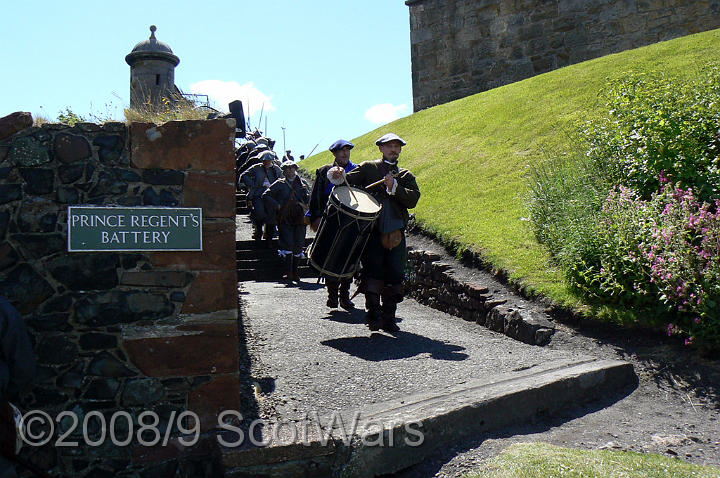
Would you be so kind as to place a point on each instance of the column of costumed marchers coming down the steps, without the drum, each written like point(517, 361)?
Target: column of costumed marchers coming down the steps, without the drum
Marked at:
point(279, 196)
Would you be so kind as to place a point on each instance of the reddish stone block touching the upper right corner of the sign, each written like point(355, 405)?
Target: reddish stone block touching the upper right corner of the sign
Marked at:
point(214, 193)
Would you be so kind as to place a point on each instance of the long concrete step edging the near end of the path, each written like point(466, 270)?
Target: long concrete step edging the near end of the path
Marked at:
point(419, 424)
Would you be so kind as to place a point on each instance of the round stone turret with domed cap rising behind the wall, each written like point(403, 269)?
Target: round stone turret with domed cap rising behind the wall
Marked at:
point(152, 73)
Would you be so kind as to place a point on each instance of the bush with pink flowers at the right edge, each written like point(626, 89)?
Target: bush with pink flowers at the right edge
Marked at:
point(658, 257)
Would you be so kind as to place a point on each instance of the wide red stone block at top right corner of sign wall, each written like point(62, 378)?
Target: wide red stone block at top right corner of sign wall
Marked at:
point(184, 145)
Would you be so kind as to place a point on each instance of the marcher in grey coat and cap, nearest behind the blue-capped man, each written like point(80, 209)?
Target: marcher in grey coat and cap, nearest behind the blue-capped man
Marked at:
point(288, 197)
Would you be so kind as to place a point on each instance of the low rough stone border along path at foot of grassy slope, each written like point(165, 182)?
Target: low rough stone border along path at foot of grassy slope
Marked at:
point(433, 282)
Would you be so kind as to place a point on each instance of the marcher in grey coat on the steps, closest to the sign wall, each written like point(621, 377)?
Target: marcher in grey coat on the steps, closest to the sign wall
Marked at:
point(257, 179)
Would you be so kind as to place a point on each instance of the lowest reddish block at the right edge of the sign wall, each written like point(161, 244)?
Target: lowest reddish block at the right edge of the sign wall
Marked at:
point(211, 398)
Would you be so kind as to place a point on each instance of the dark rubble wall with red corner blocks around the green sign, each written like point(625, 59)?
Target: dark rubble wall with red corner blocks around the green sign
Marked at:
point(130, 331)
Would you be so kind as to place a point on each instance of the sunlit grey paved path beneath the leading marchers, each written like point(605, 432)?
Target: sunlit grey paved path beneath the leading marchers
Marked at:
point(306, 358)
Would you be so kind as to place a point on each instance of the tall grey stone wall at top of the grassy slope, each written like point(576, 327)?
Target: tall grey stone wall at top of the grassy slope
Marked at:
point(462, 47)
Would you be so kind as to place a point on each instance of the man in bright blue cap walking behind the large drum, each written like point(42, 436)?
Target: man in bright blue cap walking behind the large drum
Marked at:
point(325, 177)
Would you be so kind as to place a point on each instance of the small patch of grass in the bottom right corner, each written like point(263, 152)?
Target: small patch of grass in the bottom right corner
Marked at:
point(540, 460)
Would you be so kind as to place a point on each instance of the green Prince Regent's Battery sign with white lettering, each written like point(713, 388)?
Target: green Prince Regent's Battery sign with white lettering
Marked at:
point(92, 228)
